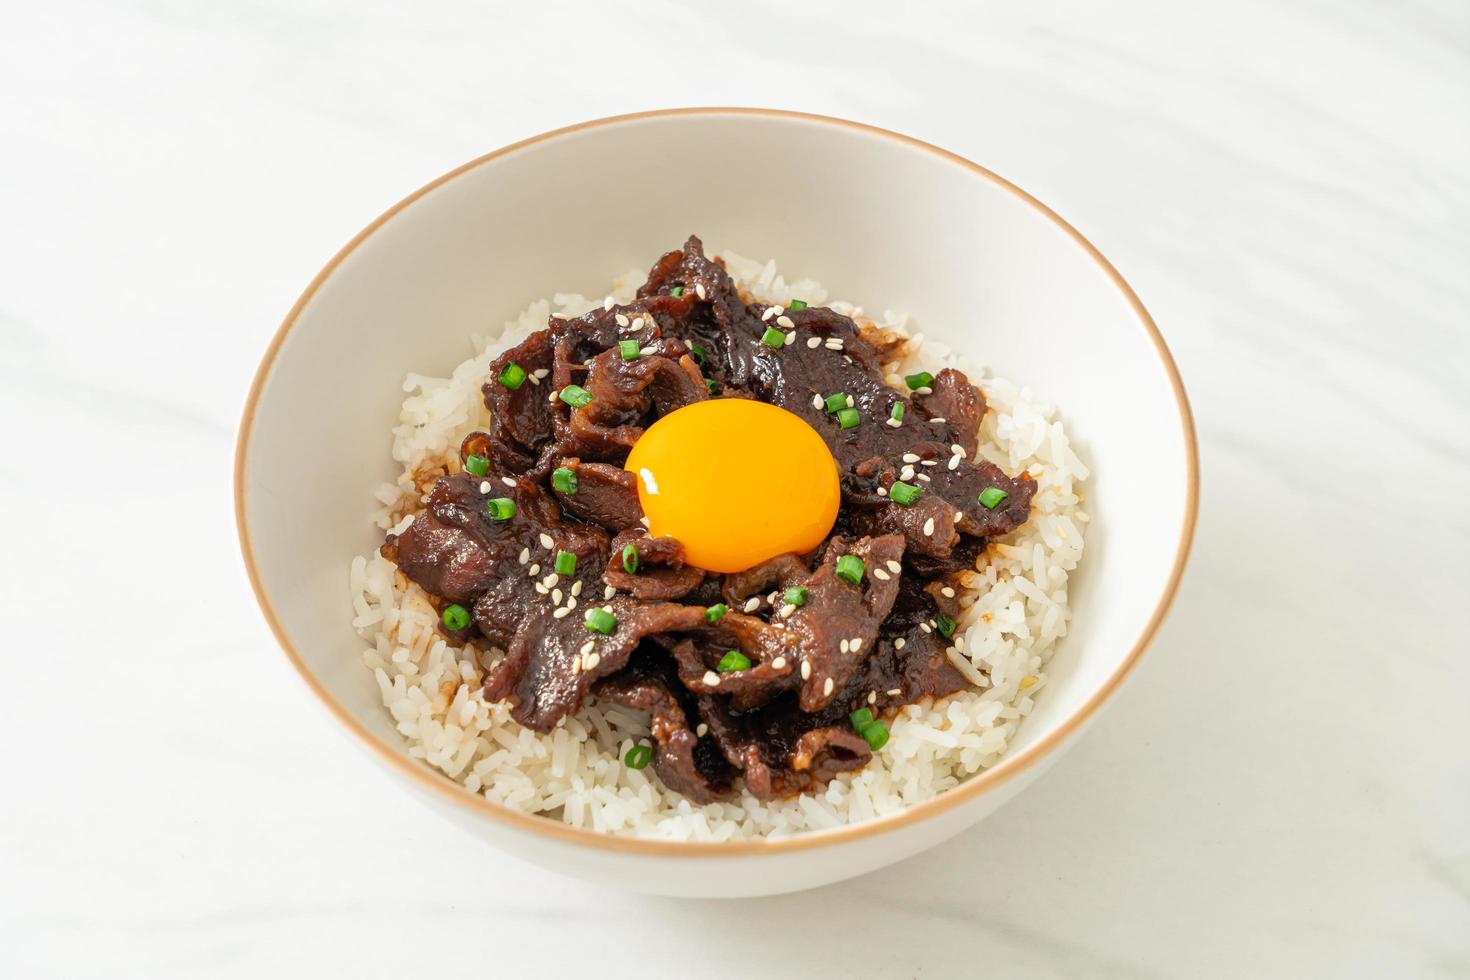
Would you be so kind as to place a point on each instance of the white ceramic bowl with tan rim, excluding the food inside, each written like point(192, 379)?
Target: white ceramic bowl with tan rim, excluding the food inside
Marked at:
point(880, 220)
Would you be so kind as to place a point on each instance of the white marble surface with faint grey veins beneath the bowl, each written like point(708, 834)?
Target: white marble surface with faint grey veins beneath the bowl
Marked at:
point(1283, 791)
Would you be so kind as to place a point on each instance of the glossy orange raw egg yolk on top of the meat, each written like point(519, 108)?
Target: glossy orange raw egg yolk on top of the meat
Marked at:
point(736, 483)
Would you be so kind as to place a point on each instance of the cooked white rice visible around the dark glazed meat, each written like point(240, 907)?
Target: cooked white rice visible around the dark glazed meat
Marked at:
point(1015, 613)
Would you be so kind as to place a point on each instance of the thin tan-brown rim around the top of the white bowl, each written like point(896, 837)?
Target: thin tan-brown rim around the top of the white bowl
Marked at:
point(983, 782)
